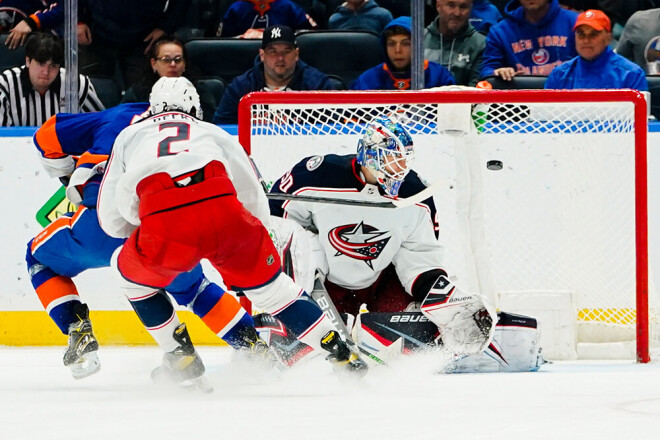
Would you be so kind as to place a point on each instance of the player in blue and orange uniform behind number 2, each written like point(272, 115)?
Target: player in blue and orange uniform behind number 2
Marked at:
point(75, 147)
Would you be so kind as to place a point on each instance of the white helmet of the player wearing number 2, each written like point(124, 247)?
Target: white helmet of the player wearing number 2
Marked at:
point(177, 94)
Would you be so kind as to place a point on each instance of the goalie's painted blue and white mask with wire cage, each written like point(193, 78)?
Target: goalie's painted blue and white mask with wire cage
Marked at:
point(386, 149)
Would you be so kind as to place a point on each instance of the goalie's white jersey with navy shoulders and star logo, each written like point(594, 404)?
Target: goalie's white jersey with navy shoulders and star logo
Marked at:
point(360, 242)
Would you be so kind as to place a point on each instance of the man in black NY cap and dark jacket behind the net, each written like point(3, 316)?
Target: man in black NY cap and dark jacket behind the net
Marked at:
point(279, 69)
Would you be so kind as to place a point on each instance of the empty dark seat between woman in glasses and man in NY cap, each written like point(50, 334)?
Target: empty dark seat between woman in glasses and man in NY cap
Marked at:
point(225, 58)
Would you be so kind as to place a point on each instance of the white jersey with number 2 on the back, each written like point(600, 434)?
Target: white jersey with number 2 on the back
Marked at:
point(177, 144)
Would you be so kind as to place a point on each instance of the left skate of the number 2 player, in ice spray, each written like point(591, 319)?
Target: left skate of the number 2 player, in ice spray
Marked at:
point(182, 365)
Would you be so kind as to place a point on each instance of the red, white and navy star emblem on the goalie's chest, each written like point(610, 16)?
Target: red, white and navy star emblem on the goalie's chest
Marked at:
point(358, 241)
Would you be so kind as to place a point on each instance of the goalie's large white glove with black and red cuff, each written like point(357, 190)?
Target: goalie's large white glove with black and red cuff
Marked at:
point(466, 321)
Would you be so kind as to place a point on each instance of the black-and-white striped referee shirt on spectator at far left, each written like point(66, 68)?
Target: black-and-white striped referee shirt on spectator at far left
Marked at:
point(21, 105)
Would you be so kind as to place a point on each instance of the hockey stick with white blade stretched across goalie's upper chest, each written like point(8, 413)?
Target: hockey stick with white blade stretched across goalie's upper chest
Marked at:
point(429, 191)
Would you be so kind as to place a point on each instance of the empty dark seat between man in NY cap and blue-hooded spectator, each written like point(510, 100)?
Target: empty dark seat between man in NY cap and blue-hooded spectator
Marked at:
point(345, 54)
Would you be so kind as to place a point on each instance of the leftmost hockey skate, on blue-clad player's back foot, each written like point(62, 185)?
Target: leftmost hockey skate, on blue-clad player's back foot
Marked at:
point(81, 354)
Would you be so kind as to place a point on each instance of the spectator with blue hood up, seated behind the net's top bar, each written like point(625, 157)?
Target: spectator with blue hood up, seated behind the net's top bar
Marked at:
point(394, 74)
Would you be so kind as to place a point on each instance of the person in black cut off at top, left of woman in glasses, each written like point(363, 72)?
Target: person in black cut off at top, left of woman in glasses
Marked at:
point(118, 32)
